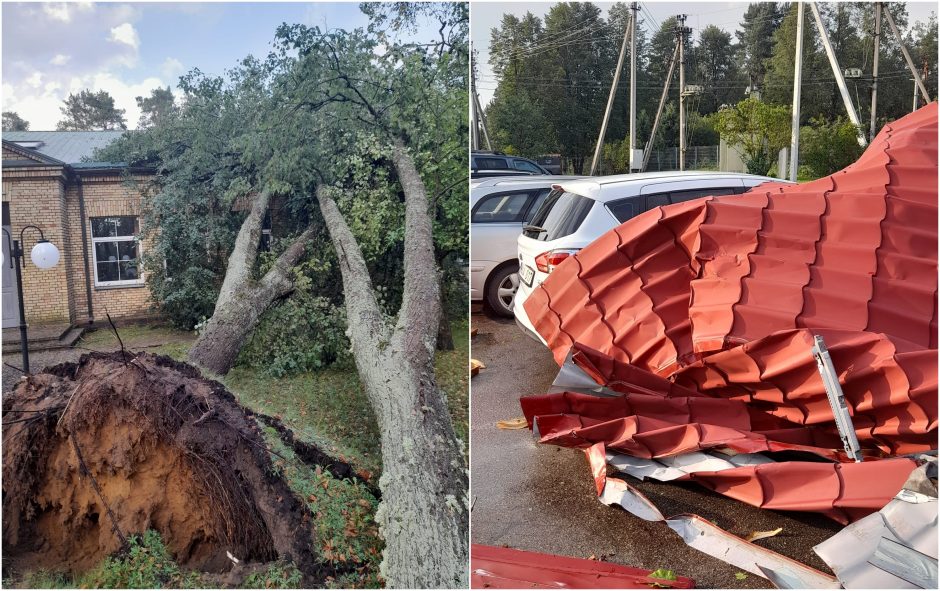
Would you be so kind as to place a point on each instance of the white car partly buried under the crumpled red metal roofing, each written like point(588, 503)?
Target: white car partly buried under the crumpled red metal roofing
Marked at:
point(577, 212)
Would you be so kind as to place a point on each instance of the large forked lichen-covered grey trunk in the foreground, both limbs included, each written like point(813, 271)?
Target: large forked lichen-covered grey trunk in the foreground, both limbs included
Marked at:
point(424, 511)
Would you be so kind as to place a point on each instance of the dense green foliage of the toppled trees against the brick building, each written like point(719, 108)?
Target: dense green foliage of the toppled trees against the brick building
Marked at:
point(277, 123)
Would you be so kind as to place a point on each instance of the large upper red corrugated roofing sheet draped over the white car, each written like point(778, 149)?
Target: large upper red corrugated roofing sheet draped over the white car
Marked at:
point(853, 251)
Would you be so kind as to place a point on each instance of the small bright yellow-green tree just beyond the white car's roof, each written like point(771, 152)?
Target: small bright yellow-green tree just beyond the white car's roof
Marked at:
point(758, 130)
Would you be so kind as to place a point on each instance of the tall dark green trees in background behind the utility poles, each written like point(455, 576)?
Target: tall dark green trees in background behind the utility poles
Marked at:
point(542, 103)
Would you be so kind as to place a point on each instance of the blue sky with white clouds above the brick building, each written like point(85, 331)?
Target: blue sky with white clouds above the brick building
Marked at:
point(128, 49)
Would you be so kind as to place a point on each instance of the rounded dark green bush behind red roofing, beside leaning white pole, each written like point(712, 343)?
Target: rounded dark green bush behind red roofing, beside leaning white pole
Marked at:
point(828, 147)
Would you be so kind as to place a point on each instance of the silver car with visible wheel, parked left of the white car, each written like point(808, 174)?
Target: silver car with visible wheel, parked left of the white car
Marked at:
point(499, 206)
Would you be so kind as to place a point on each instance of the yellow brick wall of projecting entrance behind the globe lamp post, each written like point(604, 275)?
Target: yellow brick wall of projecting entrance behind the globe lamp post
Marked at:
point(36, 196)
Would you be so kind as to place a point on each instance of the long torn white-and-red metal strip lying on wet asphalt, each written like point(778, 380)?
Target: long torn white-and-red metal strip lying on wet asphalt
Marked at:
point(704, 535)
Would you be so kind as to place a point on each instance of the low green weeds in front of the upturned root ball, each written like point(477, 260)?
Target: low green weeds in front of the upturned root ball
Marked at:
point(146, 564)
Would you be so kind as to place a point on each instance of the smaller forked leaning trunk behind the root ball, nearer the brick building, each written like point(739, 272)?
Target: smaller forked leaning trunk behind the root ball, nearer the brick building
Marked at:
point(242, 300)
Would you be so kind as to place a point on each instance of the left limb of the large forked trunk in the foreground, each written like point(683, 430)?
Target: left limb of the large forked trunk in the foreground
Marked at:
point(366, 322)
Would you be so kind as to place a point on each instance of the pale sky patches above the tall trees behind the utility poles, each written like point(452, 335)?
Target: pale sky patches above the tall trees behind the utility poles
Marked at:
point(484, 16)
